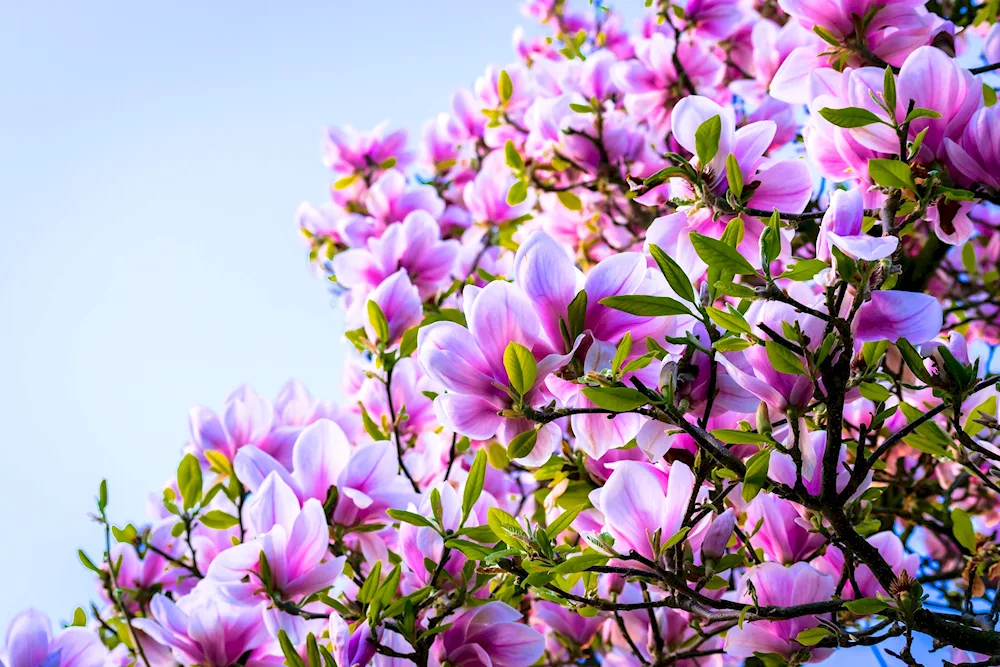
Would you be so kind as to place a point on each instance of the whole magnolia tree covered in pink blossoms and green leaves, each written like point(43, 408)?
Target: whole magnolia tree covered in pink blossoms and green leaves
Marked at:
point(672, 349)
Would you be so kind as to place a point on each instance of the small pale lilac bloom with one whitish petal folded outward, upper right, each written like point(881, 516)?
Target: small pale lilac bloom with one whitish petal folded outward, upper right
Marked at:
point(841, 227)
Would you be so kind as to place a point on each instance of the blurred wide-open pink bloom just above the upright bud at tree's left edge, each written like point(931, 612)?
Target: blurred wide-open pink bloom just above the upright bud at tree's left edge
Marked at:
point(414, 245)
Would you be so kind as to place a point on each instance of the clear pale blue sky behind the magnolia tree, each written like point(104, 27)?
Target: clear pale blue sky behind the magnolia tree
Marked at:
point(153, 157)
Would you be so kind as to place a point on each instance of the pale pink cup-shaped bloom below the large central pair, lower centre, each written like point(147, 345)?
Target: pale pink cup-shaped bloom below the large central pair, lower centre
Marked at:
point(640, 499)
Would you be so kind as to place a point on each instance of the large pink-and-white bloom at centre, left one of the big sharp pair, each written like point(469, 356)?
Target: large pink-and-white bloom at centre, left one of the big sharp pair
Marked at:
point(469, 362)
